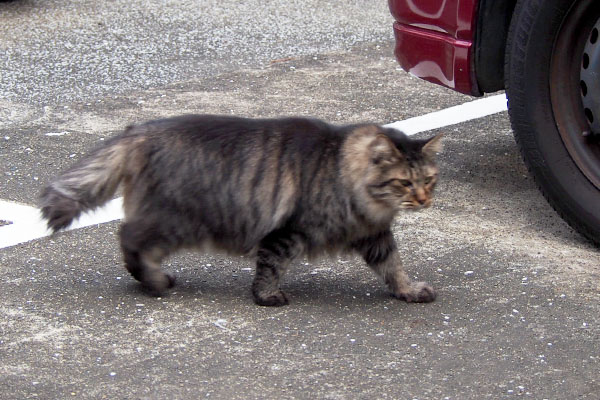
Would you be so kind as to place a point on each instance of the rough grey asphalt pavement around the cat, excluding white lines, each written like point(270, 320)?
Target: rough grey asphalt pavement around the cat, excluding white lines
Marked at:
point(517, 312)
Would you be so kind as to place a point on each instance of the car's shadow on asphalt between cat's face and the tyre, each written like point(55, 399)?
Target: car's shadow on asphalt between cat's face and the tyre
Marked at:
point(492, 169)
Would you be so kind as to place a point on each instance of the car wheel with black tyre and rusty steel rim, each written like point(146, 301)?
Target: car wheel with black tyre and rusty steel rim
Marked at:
point(552, 58)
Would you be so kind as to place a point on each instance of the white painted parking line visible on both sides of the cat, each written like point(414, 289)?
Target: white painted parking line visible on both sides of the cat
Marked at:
point(27, 224)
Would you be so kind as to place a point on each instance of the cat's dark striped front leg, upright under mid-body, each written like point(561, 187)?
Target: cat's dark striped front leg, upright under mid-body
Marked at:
point(275, 252)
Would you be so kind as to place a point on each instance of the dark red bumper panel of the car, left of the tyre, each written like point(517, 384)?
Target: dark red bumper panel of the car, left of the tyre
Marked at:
point(435, 40)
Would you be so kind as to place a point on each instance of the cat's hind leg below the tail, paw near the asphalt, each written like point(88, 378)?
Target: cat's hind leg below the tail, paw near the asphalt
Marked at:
point(143, 250)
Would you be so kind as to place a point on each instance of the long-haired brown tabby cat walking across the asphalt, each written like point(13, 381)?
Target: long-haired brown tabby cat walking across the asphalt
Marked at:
point(277, 189)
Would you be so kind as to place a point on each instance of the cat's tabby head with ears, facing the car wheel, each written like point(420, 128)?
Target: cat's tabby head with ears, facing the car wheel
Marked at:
point(402, 171)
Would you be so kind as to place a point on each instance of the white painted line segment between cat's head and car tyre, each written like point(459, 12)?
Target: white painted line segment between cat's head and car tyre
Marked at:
point(453, 115)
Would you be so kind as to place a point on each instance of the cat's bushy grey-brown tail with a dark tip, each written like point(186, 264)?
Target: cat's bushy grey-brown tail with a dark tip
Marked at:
point(88, 184)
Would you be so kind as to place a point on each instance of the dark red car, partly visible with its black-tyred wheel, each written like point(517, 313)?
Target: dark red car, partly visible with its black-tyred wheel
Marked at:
point(546, 55)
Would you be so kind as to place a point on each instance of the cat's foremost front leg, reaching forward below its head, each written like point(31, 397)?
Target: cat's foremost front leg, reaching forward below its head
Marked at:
point(381, 254)
